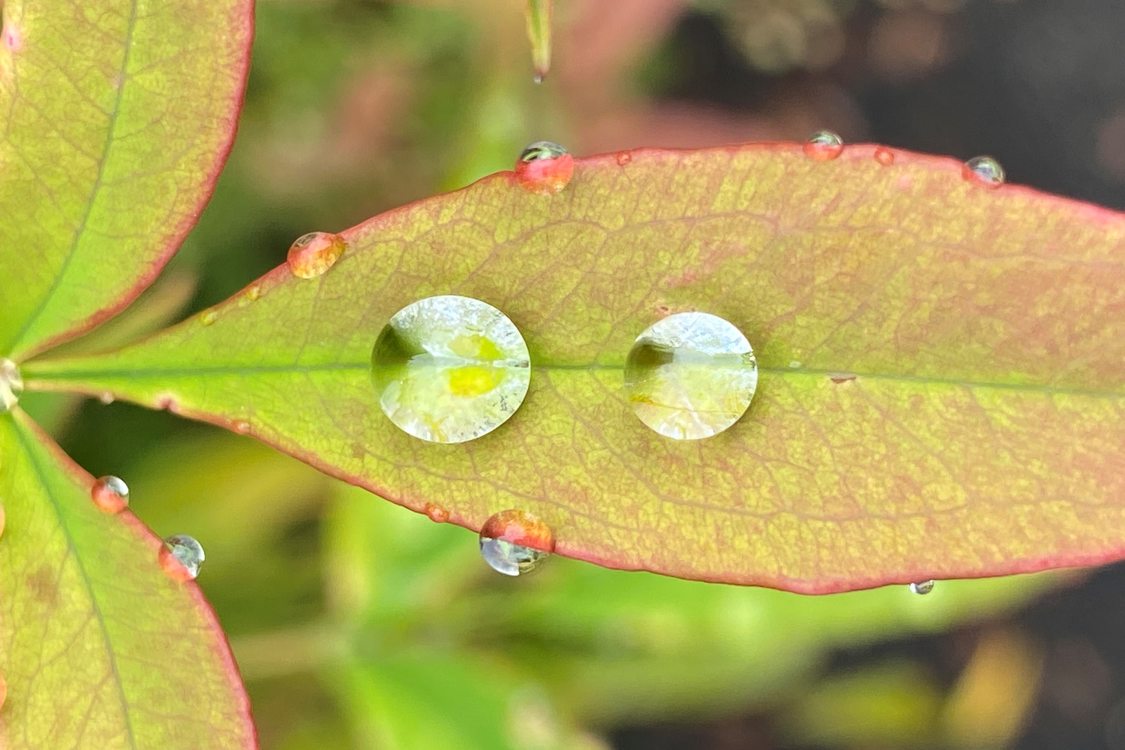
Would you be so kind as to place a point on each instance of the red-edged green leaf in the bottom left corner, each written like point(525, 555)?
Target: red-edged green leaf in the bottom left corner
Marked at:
point(101, 649)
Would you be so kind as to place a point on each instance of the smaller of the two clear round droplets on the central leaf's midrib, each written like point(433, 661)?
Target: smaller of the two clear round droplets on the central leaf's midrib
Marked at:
point(691, 376)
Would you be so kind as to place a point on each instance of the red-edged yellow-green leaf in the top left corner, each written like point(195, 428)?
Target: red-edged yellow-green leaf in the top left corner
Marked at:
point(119, 118)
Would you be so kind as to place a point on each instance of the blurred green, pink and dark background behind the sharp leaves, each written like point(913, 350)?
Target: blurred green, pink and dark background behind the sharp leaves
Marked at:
point(359, 625)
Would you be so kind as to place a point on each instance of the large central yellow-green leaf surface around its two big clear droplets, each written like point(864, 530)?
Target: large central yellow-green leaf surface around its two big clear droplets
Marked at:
point(940, 395)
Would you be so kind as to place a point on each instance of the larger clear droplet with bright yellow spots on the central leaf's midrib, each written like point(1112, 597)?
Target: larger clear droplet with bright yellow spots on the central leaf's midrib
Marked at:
point(449, 369)
